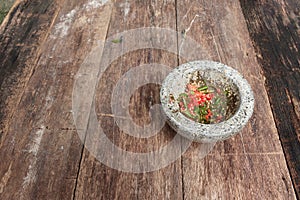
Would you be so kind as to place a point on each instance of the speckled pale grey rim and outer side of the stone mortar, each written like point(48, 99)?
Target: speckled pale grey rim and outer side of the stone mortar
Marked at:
point(210, 132)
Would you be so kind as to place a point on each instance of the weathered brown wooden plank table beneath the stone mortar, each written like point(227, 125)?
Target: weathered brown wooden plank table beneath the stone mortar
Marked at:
point(43, 45)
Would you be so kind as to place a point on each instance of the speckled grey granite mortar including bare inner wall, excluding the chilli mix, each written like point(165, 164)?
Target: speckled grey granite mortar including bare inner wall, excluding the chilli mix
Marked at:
point(175, 84)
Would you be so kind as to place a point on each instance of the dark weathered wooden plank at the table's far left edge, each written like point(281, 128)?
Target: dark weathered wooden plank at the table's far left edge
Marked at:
point(29, 23)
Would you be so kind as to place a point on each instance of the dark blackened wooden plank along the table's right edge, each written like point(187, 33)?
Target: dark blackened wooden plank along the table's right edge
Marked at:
point(274, 29)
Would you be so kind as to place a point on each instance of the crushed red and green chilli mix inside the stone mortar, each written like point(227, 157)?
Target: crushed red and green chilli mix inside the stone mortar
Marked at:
point(206, 103)
